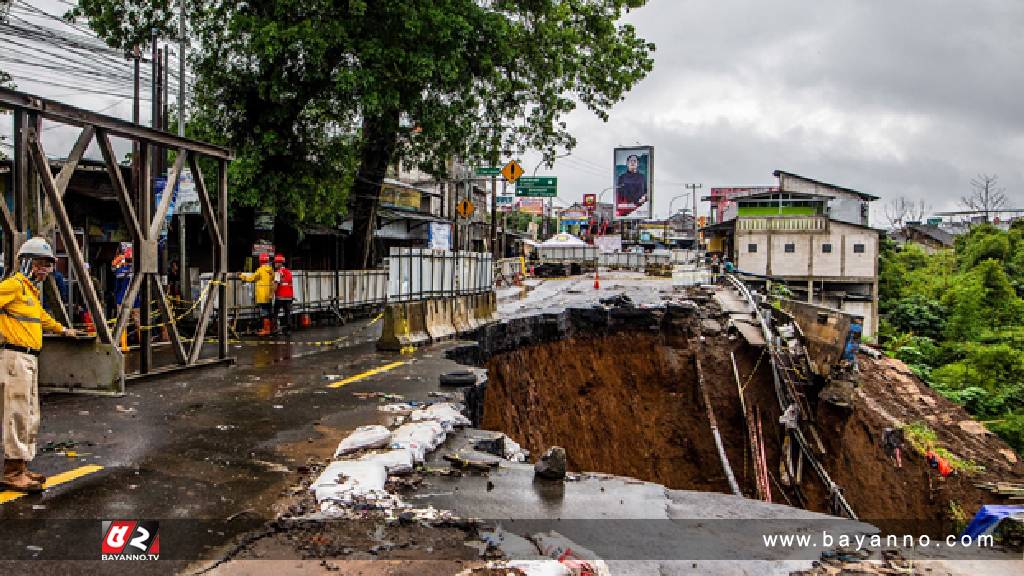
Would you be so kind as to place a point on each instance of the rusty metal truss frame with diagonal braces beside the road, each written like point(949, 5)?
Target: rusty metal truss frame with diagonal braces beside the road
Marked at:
point(32, 173)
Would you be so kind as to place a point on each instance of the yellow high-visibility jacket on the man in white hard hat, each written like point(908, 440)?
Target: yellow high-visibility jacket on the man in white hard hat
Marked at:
point(22, 316)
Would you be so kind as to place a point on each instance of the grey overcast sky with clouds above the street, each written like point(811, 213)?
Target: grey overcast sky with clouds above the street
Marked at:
point(908, 99)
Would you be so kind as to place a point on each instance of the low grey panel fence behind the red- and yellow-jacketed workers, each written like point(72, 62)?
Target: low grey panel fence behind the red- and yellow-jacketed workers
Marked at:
point(315, 292)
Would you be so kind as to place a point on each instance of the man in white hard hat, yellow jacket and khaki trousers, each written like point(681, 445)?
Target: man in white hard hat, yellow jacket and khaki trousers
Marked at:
point(22, 323)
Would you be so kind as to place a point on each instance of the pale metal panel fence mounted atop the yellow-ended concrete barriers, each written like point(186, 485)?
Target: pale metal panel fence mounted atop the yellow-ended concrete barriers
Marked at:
point(417, 274)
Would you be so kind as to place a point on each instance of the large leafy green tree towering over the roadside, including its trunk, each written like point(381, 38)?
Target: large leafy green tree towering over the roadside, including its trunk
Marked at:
point(295, 86)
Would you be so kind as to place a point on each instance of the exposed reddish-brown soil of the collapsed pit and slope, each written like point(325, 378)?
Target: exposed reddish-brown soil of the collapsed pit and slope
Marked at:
point(628, 404)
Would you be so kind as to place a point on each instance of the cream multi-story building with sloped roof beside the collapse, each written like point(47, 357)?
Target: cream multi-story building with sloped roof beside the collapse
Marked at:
point(813, 236)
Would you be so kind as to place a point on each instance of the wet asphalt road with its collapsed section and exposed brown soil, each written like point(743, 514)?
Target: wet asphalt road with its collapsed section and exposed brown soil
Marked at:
point(616, 385)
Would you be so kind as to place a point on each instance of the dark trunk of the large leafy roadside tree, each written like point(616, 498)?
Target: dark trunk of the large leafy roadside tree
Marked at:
point(380, 134)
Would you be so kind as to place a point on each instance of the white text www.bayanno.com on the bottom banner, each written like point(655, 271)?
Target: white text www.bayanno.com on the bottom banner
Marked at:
point(862, 542)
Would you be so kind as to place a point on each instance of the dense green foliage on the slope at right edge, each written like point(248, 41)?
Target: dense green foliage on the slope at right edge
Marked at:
point(957, 319)
